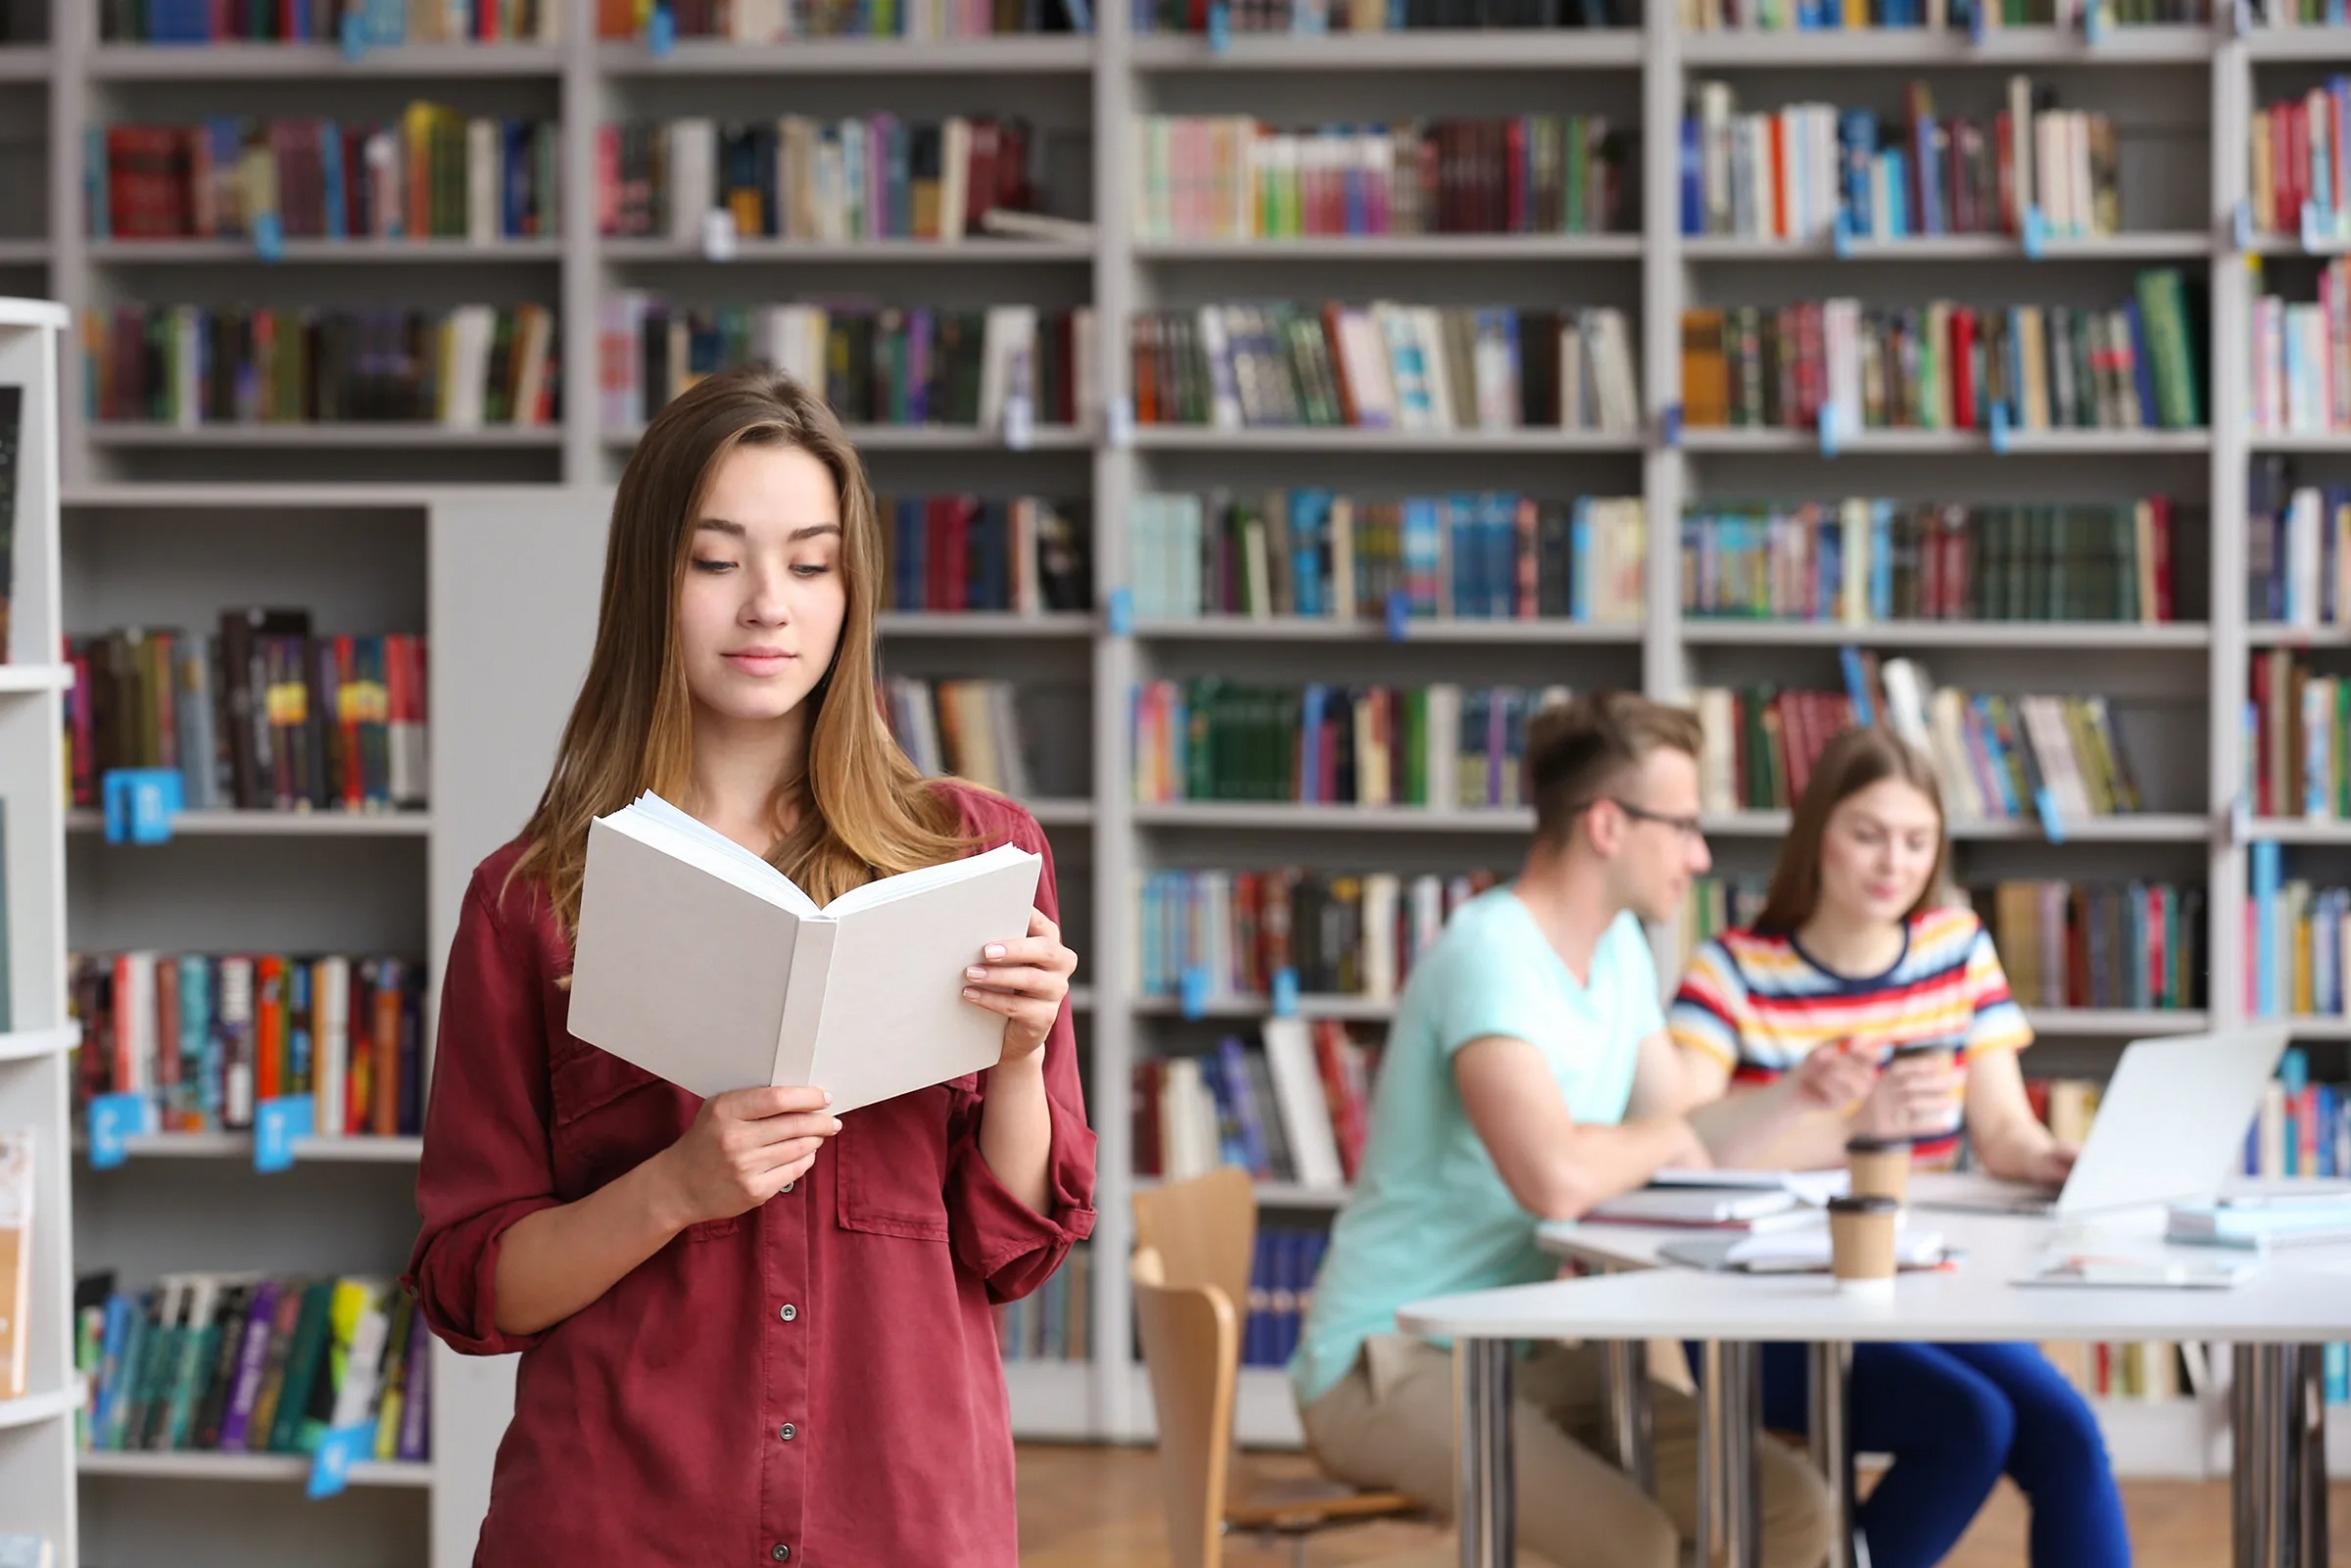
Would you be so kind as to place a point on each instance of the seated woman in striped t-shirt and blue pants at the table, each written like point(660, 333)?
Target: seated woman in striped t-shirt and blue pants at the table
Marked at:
point(1856, 953)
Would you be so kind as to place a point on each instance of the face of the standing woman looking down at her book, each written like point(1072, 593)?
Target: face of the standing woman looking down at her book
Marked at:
point(765, 596)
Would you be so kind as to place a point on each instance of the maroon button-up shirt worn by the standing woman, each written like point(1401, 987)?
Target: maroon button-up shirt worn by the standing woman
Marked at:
point(815, 1381)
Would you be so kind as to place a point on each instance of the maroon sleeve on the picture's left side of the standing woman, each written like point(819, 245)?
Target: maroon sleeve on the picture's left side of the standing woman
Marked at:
point(485, 1151)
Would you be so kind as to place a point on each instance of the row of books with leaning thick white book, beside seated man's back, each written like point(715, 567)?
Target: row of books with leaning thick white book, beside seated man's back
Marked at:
point(1294, 1111)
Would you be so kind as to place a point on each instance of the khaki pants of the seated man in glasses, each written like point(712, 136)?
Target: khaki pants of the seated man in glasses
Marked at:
point(1391, 1426)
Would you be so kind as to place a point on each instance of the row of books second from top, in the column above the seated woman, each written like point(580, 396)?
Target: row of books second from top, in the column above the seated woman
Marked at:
point(1807, 170)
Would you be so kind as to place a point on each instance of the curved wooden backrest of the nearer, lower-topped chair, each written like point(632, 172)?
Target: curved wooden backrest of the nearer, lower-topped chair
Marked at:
point(1193, 1348)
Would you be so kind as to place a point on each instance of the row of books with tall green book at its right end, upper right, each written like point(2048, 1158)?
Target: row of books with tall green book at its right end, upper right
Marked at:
point(1844, 366)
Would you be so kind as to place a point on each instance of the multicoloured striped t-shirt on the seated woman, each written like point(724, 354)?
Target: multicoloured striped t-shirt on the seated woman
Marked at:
point(1762, 1003)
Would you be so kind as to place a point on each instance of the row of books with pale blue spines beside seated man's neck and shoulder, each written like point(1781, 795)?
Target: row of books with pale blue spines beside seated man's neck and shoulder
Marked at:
point(1221, 937)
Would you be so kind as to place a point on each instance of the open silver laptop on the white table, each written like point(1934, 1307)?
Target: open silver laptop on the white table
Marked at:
point(2171, 1125)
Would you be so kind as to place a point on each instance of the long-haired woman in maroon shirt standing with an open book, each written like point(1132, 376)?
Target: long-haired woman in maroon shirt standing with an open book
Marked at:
point(751, 1332)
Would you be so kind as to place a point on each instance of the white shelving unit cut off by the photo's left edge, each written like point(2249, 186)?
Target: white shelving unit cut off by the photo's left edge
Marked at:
point(36, 1430)
